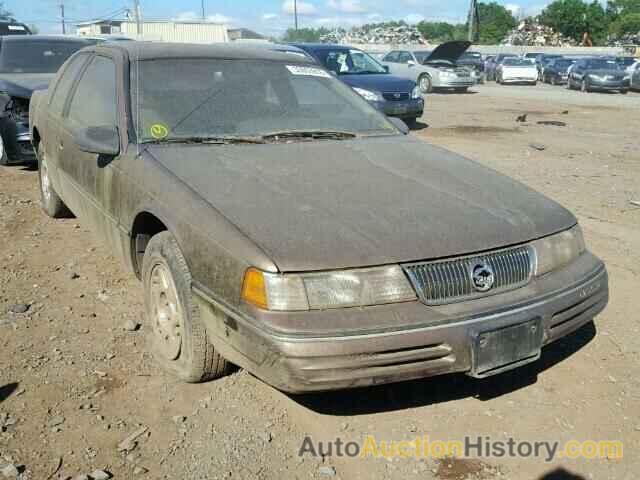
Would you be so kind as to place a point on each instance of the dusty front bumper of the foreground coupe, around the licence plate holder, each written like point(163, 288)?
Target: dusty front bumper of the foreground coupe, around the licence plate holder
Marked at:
point(424, 342)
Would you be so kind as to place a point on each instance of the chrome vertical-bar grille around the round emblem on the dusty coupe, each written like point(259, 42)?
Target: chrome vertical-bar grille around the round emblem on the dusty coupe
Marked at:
point(449, 281)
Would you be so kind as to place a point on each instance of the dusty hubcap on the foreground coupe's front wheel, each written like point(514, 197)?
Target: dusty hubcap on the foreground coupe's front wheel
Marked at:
point(166, 313)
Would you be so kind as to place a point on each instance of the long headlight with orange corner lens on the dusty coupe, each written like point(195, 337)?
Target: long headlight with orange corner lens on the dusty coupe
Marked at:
point(323, 290)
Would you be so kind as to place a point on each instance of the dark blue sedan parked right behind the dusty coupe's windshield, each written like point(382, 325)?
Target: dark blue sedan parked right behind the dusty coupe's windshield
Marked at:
point(392, 95)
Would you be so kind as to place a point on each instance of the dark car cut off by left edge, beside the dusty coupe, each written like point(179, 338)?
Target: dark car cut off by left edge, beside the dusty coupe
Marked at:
point(27, 63)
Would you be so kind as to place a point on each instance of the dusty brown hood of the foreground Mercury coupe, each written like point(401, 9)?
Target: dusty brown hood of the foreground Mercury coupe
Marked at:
point(338, 204)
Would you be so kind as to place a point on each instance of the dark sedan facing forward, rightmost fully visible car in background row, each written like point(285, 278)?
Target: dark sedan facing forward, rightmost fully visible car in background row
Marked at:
point(598, 74)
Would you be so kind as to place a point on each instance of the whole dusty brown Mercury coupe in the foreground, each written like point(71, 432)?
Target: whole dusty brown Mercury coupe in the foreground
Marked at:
point(278, 221)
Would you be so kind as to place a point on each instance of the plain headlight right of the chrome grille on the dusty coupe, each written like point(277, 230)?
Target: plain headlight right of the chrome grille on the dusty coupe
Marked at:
point(558, 250)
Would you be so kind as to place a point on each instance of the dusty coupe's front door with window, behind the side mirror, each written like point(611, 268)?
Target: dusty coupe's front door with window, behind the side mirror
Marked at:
point(92, 179)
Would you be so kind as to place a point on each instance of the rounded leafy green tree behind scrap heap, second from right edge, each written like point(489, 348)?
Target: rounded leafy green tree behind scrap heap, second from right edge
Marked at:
point(574, 17)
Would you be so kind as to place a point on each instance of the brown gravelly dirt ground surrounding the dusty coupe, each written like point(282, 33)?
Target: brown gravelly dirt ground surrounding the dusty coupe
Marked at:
point(75, 380)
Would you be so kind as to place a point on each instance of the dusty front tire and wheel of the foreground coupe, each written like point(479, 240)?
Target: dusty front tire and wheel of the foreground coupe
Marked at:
point(176, 333)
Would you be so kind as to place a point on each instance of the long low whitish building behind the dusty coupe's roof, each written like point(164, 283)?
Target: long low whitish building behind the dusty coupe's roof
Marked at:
point(159, 31)
